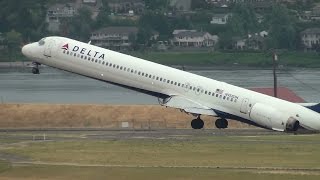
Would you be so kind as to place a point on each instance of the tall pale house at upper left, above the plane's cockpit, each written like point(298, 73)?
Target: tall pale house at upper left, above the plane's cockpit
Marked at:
point(57, 12)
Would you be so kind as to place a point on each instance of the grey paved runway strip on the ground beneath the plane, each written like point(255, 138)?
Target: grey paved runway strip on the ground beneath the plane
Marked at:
point(54, 134)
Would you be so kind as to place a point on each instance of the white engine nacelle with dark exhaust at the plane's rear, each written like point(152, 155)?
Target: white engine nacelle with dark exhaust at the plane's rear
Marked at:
point(272, 118)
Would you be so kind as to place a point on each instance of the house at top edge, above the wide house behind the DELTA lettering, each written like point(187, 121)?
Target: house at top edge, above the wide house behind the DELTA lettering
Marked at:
point(124, 6)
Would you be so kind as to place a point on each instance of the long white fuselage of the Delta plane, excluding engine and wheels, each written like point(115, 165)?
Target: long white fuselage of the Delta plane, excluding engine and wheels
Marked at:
point(110, 66)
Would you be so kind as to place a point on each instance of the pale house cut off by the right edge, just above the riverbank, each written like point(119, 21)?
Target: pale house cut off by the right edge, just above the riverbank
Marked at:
point(310, 38)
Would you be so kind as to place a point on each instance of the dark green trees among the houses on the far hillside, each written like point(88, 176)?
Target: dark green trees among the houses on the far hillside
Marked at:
point(24, 21)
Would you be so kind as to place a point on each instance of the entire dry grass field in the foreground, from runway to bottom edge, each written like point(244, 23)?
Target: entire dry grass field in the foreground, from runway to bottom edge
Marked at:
point(213, 157)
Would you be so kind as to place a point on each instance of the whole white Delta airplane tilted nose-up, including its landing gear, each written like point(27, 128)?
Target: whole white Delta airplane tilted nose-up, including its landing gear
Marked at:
point(191, 93)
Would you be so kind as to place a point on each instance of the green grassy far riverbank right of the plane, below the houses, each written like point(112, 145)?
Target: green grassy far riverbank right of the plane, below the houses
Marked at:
point(261, 59)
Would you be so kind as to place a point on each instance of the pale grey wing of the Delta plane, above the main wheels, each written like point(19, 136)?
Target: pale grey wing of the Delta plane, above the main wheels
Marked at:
point(188, 105)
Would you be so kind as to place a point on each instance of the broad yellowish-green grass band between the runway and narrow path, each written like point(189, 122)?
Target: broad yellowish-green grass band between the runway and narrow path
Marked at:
point(218, 151)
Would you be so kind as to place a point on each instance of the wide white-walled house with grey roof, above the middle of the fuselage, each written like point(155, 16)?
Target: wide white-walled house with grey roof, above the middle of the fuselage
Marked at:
point(192, 38)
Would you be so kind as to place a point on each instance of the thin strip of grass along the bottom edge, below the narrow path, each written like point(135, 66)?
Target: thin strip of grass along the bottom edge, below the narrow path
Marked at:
point(79, 173)
